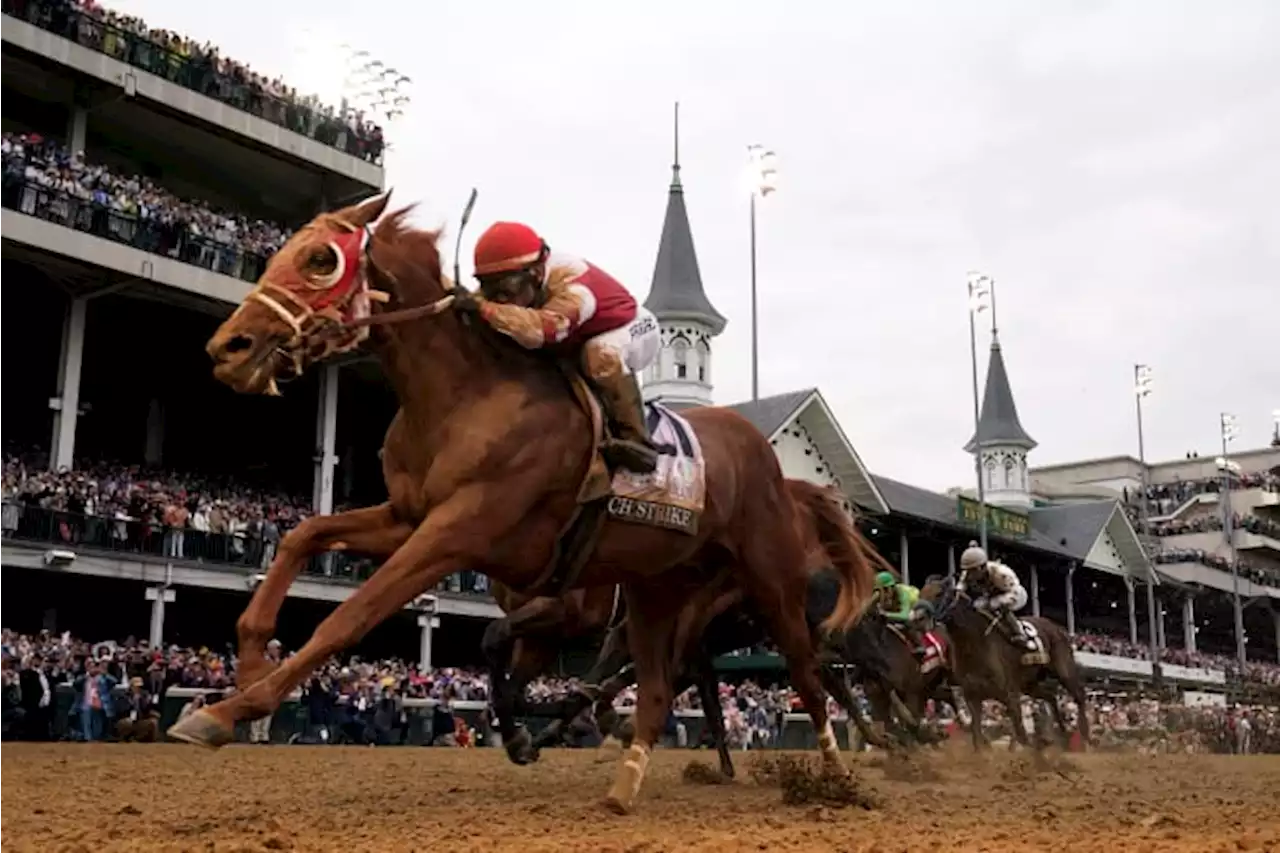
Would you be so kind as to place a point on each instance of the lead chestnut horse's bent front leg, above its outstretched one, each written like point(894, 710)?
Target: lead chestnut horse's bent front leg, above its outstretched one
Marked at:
point(373, 531)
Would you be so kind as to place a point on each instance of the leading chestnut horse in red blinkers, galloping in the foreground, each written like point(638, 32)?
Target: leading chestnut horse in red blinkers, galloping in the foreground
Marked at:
point(484, 466)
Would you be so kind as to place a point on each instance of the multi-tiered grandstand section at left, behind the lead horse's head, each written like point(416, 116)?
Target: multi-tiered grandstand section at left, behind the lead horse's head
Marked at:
point(143, 186)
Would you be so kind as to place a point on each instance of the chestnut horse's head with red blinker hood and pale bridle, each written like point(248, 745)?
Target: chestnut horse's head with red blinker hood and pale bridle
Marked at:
point(318, 297)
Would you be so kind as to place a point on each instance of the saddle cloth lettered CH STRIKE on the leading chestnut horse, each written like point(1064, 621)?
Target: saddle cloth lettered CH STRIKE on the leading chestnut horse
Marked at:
point(675, 495)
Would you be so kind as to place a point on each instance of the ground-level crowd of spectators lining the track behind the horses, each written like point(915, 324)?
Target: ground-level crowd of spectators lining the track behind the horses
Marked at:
point(118, 688)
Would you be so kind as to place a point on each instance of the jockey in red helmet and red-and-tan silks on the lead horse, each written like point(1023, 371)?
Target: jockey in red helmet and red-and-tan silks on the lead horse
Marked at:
point(545, 300)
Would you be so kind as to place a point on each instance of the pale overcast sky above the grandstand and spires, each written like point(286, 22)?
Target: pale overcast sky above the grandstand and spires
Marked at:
point(1114, 166)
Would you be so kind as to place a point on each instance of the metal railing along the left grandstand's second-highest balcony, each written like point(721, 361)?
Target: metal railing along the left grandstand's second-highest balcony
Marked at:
point(156, 236)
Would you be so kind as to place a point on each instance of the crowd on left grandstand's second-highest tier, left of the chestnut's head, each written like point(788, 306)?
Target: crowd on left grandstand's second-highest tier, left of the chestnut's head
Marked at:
point(43, 179)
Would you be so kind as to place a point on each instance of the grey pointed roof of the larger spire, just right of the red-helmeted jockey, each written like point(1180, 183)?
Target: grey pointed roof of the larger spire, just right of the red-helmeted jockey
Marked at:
point(676, 293)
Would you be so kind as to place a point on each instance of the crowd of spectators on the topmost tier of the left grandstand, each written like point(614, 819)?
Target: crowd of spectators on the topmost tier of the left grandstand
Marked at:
point(202, 67)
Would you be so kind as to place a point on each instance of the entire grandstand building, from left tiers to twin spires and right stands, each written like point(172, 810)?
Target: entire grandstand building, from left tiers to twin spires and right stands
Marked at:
point(143, 186)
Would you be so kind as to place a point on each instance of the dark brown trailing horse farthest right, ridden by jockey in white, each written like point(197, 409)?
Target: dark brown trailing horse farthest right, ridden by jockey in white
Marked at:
point(986, 665)
